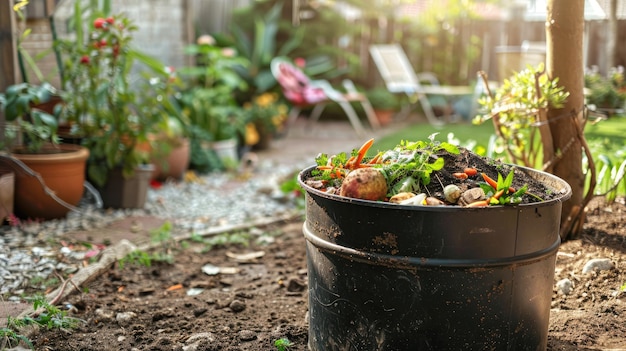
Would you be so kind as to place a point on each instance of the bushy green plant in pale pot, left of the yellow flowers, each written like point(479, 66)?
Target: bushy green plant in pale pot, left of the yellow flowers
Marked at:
point(215, 120)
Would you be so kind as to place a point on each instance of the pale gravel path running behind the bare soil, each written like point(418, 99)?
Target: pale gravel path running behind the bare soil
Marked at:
point(216, 199)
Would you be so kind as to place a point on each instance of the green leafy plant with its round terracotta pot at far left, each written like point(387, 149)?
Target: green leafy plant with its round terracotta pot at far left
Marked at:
point(49, 176)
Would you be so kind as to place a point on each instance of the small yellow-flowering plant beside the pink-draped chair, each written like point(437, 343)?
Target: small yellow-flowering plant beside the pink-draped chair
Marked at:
point(265, 113)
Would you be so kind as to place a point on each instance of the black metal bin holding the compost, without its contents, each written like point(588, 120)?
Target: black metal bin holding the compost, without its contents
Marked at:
point(390, 277)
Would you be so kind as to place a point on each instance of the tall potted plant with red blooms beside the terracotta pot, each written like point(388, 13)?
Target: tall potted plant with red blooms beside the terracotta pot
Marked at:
point(101, 105)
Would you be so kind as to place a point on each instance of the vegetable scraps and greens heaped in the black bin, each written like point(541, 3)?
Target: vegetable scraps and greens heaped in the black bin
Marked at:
point(402, 175)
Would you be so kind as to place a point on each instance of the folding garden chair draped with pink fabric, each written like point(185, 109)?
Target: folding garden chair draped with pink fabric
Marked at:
point(303, 92)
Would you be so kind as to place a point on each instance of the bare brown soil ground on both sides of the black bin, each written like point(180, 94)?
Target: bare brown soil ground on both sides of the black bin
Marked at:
point(255, 300)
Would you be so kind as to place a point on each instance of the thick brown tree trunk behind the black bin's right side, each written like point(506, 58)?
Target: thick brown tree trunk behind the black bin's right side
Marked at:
point(564, 34)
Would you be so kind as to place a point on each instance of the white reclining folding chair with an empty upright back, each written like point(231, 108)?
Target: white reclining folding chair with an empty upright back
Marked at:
point(400, 77)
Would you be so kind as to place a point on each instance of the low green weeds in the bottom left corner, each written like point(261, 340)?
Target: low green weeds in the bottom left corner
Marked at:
point(46, 316)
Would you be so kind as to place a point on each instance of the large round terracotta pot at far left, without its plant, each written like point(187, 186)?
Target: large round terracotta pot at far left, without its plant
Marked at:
point(62, 169)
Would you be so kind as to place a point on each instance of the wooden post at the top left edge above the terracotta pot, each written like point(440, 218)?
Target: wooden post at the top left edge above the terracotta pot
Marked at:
point(8, 45)
